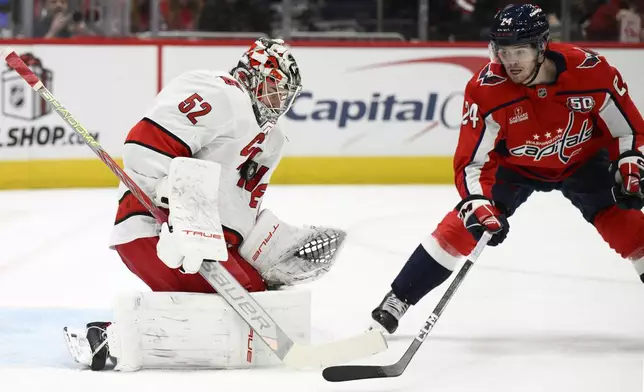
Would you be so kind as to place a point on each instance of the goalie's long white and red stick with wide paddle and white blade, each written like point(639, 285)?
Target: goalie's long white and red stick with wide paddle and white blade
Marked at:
point(291, 353)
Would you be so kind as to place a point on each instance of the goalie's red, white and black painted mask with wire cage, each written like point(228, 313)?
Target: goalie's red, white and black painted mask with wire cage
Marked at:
point(270, 74)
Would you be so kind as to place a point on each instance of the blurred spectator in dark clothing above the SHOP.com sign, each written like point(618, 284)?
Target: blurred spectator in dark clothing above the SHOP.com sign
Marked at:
point(58, 22)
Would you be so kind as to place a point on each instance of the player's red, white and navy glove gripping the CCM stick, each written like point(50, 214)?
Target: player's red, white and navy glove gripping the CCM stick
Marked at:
point(479, 214)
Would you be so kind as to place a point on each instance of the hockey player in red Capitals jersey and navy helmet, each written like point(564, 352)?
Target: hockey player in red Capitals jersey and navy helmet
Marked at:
point(539, 117)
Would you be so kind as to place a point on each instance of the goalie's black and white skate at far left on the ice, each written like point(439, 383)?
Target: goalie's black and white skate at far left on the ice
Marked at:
point(88, 346)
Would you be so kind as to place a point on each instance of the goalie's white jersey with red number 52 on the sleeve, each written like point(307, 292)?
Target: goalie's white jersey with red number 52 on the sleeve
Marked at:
point(204, 115)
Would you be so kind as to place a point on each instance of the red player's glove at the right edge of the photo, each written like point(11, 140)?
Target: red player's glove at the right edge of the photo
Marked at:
point(627, 174)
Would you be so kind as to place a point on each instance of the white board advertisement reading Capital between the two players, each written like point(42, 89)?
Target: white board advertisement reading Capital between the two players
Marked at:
point(371, 104)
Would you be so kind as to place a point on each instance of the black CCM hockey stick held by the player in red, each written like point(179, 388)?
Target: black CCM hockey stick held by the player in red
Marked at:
point(361, 372)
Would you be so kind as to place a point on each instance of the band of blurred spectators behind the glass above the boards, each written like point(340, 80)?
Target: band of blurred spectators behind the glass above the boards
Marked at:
point(451, 20)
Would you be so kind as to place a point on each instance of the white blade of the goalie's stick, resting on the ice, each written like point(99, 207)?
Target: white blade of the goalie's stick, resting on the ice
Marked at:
point(346, 350)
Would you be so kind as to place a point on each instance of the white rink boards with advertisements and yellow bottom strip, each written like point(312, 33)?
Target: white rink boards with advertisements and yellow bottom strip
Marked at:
point(385, 113)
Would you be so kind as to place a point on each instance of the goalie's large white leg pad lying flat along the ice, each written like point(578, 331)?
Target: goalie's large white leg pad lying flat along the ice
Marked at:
point(188, 330)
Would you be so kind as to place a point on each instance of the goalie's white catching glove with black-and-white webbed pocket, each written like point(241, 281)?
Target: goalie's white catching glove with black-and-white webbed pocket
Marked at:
point(288, 255)
